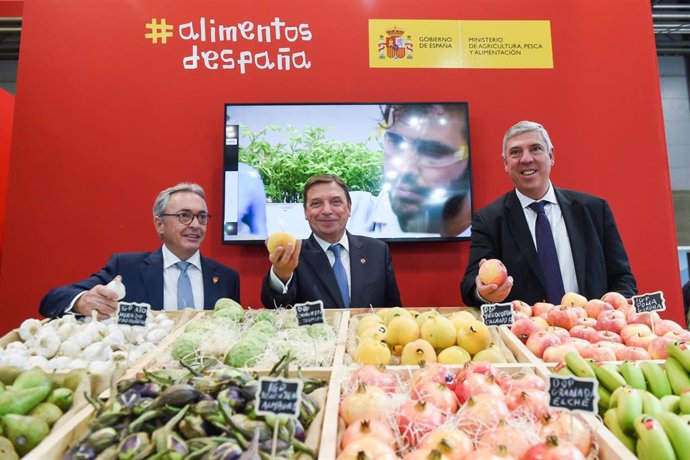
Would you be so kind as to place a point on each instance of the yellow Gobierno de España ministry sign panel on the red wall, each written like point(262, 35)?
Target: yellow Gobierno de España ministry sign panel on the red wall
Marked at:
point(419, 43)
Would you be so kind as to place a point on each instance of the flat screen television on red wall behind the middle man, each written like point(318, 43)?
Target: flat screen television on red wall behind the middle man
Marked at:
point(407, 166)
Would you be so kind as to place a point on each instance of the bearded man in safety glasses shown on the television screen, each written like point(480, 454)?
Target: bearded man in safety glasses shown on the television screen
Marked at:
point(426, 185)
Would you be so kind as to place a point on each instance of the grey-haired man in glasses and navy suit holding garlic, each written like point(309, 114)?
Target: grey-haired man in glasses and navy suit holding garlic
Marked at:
point(180, 216)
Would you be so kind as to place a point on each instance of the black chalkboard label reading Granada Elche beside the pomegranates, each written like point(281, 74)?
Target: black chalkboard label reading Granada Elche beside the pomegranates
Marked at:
point(573, 394)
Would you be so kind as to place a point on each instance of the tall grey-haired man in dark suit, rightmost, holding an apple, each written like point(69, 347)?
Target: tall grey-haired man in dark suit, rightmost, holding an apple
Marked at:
point(591, 259)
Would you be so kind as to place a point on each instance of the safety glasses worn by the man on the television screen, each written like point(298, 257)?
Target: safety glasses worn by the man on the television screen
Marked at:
point(428, 153)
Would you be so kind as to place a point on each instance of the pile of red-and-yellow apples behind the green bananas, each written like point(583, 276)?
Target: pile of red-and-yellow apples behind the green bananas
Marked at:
point(606, 329)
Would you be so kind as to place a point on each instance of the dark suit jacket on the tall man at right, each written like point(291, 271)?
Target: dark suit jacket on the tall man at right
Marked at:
point(500, 231)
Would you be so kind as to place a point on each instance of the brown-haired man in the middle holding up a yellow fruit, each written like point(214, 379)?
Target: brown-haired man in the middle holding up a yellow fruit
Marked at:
point(308, 270)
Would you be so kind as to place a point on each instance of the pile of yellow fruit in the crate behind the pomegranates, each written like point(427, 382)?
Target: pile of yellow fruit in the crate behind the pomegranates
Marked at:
point(400, 336)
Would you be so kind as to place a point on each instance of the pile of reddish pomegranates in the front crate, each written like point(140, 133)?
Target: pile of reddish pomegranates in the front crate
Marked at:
point(478, 412)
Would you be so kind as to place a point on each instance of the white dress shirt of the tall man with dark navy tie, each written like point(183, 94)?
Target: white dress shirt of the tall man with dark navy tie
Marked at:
point(559, 230)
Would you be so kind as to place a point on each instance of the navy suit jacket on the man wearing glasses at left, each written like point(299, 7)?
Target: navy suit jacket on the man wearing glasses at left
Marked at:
point(142, 275)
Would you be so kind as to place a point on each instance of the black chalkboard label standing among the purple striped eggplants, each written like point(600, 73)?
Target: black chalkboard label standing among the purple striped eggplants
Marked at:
point(279, 396)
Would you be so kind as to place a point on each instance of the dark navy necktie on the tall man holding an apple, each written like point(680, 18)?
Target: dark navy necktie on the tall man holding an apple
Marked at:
point(548, 257)
